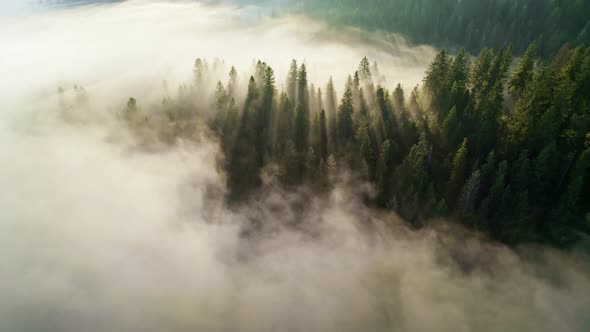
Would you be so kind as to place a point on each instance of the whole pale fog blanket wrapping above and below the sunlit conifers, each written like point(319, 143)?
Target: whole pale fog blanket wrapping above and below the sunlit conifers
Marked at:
point(98, 235)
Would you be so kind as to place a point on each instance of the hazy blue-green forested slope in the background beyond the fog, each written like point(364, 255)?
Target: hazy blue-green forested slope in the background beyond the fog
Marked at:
point(471, 24)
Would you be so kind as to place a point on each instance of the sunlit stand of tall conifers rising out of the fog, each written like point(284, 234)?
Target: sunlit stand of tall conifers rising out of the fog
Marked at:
point(502, 148)
